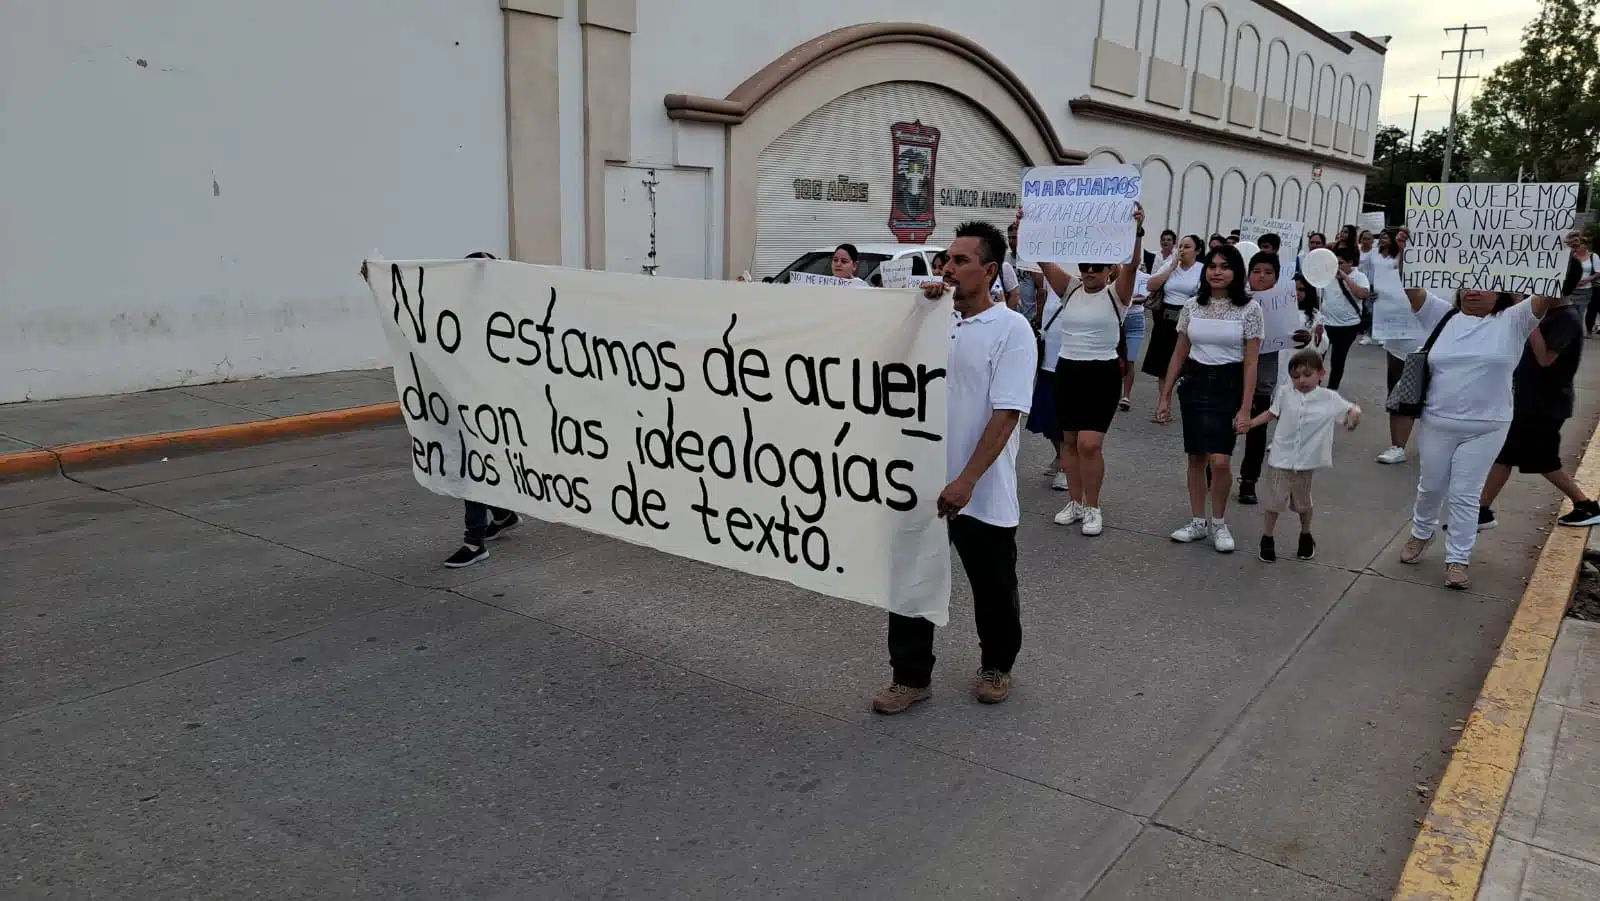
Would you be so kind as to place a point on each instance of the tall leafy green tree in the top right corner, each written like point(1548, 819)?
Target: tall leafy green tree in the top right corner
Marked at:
point(1540, 113)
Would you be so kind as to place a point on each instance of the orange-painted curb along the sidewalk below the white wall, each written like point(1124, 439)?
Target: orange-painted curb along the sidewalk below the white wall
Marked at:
point(191, 441)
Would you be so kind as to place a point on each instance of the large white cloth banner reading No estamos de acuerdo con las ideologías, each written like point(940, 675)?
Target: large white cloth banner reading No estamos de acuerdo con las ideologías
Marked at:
point(687, 417)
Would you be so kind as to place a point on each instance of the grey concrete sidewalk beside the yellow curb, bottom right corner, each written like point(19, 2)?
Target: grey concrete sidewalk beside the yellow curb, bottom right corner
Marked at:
point(1548, 843)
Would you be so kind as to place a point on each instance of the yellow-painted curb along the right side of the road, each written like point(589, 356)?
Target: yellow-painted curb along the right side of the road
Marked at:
point(1454, 846)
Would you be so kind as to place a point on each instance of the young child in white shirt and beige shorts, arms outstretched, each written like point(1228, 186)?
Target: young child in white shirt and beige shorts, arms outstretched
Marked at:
point(1302, 444)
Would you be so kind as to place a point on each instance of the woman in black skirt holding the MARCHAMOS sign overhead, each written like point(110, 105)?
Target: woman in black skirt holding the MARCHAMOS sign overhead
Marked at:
point(1089, 374)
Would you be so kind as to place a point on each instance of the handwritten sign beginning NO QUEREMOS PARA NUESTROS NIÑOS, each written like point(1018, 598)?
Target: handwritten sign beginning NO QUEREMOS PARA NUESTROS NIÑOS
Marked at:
point(1489, 236)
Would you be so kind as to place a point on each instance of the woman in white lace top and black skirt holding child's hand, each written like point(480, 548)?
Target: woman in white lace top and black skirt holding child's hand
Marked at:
point(1214, 369)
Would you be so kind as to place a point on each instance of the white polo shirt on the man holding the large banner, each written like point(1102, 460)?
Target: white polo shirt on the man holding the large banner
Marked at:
point(991, 367)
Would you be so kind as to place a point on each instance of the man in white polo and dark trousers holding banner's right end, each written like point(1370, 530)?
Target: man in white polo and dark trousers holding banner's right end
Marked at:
point(991, 383)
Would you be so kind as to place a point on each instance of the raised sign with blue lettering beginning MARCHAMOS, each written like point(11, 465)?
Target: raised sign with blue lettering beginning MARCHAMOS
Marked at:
point(1079, 215)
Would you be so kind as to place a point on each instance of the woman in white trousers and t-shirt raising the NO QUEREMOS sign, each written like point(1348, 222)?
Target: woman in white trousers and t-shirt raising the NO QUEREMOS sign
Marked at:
point(1466, 412)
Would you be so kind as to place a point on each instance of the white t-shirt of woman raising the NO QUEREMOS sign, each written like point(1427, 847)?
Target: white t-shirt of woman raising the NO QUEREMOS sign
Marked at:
point(1471, 364)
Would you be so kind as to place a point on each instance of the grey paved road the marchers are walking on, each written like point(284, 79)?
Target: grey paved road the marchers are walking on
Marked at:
point(246, 676)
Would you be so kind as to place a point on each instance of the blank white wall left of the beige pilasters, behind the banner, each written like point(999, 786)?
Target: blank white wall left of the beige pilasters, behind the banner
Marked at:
point(188, 186)
